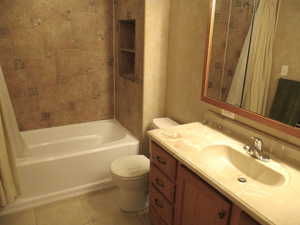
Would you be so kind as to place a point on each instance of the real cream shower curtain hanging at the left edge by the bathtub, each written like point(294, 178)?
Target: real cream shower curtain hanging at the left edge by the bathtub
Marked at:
point(11, 142)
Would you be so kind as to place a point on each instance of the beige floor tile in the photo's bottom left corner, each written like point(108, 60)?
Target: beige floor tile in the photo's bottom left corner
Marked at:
point(21, 218)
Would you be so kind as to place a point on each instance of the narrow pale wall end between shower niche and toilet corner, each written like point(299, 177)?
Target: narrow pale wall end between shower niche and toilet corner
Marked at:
point(157, 15)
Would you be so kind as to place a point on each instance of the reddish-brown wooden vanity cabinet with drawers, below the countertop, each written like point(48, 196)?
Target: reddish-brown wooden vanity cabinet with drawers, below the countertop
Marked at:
point(180, 197)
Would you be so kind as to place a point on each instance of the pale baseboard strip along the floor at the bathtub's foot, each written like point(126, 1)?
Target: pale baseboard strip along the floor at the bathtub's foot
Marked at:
point(27, 203)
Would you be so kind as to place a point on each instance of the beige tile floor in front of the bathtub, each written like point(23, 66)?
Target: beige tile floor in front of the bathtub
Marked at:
point(97, 208)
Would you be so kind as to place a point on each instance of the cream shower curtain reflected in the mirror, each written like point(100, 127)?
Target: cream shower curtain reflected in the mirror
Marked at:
point(259, 61)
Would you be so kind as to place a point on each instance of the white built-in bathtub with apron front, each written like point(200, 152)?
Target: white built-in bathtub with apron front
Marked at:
point(65, 161)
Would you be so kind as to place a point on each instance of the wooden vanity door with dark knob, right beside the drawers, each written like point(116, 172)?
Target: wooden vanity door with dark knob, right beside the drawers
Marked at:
point(197, 203)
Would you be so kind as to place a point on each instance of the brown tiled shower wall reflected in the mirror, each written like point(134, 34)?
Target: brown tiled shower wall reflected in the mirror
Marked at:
point(232, 23)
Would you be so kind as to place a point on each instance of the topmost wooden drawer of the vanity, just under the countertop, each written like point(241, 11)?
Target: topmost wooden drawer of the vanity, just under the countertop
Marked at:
point(164, 161)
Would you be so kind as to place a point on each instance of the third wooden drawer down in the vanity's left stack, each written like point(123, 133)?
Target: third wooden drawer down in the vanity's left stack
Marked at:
point(163, 208)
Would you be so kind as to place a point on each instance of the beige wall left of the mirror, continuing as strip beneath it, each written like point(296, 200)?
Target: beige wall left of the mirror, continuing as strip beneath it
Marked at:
point(188, 34)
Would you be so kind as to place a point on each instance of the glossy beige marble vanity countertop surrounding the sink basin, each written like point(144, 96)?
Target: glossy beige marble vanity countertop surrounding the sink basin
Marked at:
point(269, 205)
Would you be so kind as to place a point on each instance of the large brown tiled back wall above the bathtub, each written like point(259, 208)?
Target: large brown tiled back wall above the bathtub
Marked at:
point(57, 59)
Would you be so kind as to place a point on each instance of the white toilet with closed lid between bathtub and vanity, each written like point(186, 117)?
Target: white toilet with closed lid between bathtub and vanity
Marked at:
point(130, 174)
